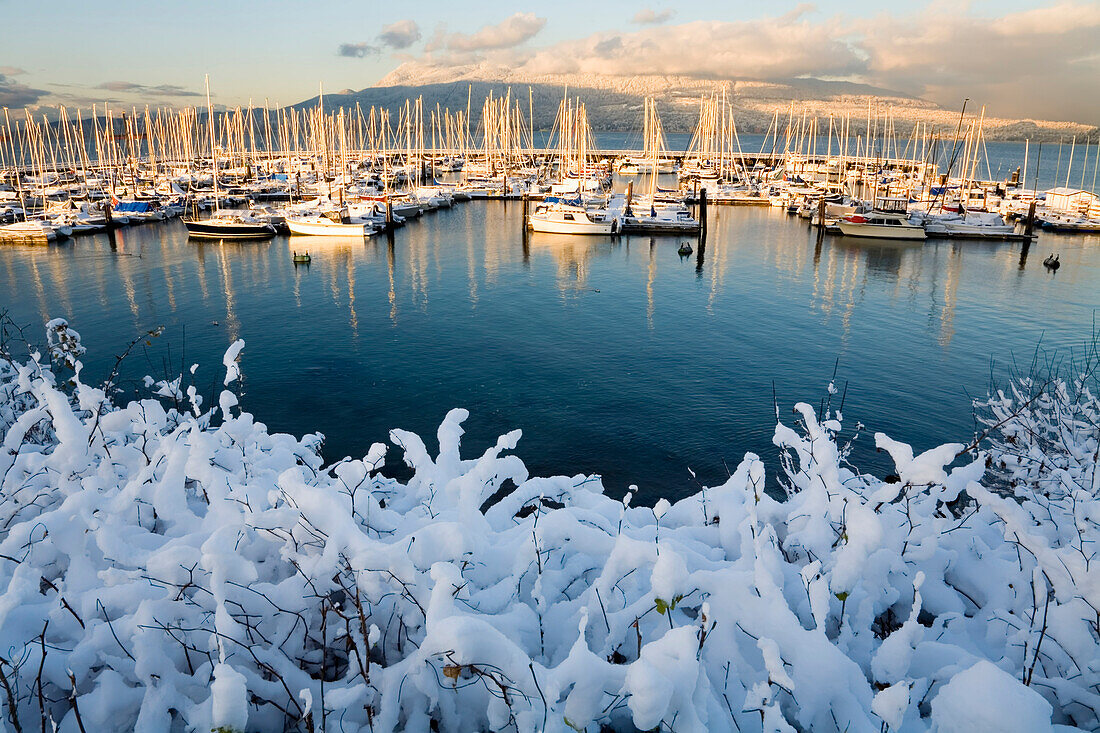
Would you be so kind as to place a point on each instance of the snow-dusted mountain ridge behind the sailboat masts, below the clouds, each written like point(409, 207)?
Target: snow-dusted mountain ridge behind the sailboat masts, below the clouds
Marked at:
point(614, 103)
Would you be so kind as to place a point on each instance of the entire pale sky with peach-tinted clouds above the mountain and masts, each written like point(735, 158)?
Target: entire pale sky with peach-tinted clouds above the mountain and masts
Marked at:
point(1039, 60)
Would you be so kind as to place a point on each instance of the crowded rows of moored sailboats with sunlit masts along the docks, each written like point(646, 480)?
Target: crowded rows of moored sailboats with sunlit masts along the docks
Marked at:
point(338, 172)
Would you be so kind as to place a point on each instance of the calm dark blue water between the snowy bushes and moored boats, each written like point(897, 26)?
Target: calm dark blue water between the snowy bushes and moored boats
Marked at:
point(617, 357)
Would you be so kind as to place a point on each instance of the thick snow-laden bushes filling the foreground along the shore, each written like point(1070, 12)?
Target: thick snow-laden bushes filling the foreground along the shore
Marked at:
point(172, 568)
